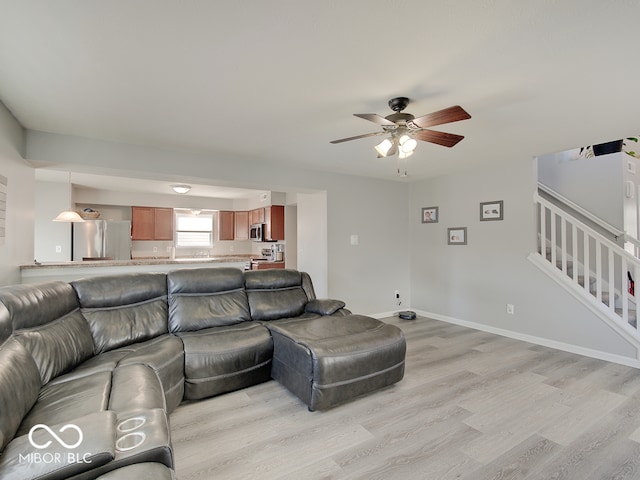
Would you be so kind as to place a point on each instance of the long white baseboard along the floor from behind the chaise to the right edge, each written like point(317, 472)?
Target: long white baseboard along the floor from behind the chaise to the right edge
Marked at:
point(566, 347)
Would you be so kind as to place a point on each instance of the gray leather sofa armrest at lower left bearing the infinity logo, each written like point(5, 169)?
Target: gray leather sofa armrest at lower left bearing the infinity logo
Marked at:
point(84, 444)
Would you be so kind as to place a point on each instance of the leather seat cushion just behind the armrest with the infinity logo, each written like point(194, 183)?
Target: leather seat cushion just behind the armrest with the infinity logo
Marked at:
point(62, 401)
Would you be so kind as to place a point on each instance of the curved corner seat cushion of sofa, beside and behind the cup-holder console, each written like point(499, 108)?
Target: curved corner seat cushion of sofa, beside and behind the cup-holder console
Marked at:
point(165, 355)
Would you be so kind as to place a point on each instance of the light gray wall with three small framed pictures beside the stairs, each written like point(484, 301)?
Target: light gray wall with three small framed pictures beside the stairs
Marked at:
point(473, 283)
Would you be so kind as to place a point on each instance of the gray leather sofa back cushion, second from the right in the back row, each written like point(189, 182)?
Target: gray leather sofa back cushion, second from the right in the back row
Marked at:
point(206, 297)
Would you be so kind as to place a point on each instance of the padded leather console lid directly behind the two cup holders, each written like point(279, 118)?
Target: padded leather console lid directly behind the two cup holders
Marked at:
point(134, 387)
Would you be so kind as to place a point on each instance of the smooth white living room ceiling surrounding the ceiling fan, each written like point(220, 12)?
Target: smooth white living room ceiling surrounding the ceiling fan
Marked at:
point(277, 80)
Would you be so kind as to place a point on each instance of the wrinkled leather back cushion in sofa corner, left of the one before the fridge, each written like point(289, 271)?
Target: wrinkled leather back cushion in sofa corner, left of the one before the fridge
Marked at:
point(47, 321)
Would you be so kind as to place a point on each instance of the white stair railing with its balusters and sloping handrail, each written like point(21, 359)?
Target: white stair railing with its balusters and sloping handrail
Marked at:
point(594, 264)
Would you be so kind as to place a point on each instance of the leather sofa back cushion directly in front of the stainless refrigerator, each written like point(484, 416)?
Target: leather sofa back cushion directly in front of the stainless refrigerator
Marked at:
point(123, 309)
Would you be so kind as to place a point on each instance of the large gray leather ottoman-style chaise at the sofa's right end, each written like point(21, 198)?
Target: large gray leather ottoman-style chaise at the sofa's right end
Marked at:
point(329, 360)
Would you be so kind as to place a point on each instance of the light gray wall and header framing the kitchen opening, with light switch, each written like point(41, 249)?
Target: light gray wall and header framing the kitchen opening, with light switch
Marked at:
point(365, 277)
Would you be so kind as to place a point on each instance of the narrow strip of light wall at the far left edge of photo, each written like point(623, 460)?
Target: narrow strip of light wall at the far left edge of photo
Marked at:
point(17, 248)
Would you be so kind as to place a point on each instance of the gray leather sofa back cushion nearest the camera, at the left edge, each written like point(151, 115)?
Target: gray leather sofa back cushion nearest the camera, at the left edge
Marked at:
point(19, 387)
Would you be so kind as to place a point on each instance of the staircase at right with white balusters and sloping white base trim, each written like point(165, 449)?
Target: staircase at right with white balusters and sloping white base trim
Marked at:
point(590, 264)
